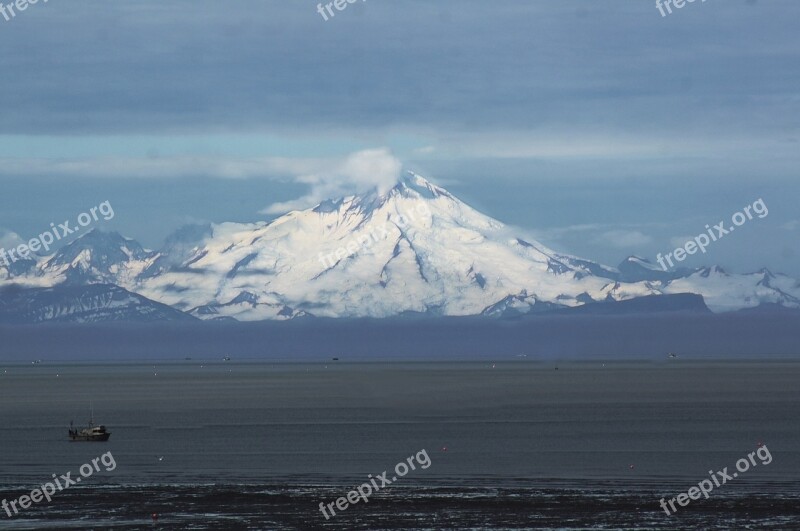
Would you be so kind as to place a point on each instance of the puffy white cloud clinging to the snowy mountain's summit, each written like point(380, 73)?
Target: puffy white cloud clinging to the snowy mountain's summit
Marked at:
point(372, 169)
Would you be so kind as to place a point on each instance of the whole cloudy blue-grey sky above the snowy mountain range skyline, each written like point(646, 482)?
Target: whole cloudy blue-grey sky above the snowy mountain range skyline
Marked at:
point(602, 127)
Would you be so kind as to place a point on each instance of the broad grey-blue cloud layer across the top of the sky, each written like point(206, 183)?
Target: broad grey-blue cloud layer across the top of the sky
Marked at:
point(380, 69)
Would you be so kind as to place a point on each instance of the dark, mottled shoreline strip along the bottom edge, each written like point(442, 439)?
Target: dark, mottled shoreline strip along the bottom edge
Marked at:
point(279, 507)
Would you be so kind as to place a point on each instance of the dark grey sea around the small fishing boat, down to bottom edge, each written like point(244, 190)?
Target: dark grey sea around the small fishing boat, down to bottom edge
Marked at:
point(520, 445)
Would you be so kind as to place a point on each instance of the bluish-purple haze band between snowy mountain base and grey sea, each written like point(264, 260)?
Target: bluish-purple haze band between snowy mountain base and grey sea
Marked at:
point(551, 338)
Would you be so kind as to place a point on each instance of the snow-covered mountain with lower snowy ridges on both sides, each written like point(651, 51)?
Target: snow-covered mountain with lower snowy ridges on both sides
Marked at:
point(414, 249)
